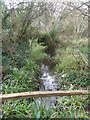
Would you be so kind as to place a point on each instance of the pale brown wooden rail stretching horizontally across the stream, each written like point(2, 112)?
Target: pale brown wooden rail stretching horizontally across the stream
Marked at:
point(37, 94)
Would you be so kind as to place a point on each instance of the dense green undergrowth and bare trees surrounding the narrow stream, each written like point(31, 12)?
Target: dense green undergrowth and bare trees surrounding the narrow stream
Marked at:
point(36, 33)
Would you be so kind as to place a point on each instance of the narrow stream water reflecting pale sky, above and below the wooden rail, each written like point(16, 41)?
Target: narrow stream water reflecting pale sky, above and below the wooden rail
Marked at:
point(48, 83)
